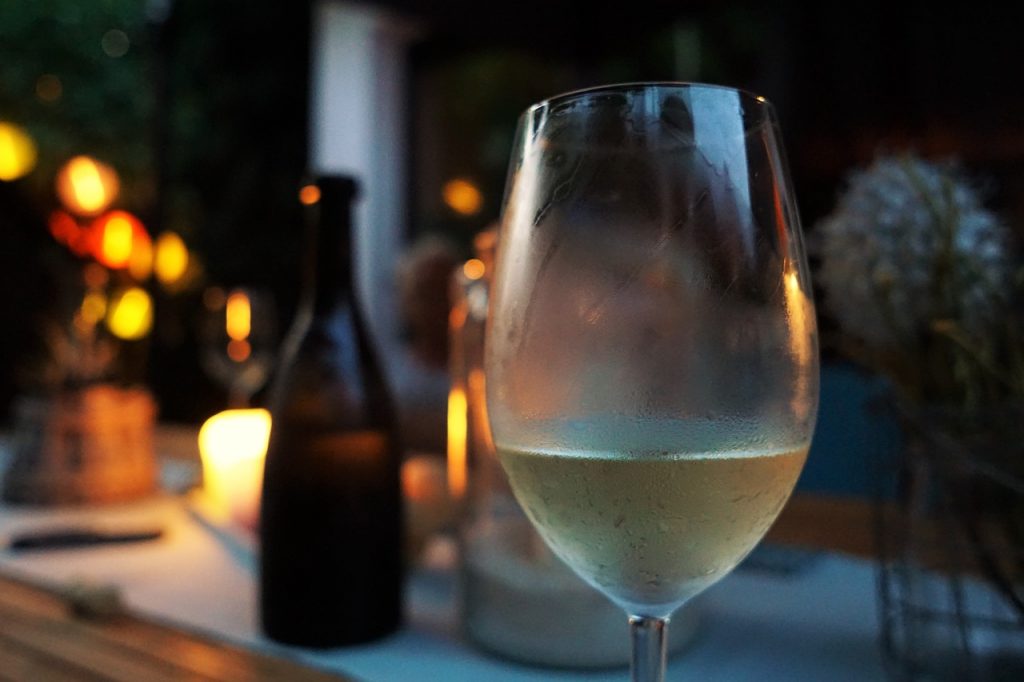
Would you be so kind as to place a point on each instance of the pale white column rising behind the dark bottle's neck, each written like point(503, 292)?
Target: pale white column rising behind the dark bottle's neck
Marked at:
point(358, 127)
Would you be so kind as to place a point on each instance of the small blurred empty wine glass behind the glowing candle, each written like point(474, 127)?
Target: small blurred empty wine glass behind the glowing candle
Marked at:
point(238, 340)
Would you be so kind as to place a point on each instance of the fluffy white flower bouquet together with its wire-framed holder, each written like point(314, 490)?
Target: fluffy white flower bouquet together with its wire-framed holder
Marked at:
point(926, 289)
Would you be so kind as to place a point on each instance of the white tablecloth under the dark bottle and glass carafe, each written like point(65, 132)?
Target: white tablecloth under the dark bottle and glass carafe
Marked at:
point(817, 624)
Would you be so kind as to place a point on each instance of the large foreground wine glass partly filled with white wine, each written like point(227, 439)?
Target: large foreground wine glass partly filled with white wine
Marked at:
point(652, 353)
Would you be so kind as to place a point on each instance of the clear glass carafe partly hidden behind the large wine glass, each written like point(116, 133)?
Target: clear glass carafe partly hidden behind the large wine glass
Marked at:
point(515, 592)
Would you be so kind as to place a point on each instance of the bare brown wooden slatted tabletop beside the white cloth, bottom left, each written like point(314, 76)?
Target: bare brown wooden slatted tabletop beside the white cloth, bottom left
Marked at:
point(40, 641)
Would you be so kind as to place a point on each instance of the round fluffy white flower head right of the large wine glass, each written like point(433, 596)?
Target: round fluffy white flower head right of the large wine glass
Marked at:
point(910, 244)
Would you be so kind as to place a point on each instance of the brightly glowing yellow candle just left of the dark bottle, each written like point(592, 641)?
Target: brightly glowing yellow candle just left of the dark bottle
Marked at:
point(233, 445)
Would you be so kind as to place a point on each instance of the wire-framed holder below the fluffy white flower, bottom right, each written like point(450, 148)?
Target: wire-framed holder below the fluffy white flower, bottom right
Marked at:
point(952, 544)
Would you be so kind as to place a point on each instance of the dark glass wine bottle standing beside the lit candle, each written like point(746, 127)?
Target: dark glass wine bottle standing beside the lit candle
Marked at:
point(331, 514)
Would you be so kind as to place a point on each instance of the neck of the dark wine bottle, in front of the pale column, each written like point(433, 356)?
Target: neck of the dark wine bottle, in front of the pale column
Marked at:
point(331, 265)
